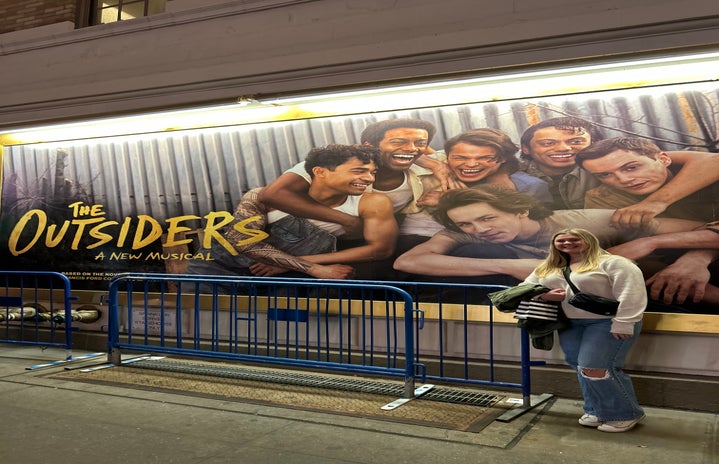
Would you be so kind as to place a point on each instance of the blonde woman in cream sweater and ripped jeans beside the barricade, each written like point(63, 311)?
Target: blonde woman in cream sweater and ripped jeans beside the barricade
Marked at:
point(596, 346)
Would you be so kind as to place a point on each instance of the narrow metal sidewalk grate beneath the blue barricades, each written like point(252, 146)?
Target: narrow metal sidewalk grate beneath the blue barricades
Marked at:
point(446, 395)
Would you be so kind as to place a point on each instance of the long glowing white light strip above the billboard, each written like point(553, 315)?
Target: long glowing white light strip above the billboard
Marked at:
point(620, 75)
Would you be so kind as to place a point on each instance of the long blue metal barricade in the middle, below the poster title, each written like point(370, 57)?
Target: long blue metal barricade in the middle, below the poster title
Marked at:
point(344, 326)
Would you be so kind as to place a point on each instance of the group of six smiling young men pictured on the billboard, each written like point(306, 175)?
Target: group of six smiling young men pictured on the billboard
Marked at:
point(392, 208)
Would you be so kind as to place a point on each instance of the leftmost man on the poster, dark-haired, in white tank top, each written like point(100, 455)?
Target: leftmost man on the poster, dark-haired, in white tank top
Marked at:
point(269, 242)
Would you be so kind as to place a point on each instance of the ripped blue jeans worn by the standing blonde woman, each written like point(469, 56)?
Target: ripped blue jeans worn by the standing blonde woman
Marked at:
point(607, 390)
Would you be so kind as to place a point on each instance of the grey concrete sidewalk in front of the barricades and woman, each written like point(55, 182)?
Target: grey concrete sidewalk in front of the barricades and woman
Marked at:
point(50, 420)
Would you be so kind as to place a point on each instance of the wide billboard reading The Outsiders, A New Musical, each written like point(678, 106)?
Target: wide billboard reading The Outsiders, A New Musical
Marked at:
point(162, 202)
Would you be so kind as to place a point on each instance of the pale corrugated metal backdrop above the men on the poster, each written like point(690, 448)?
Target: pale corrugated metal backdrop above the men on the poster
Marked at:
point(194, 172)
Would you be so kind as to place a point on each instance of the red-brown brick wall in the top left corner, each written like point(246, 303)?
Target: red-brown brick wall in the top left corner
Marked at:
point(17, 15)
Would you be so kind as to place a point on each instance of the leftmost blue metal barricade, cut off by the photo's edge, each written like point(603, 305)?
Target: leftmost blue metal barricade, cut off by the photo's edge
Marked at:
point(31, 304)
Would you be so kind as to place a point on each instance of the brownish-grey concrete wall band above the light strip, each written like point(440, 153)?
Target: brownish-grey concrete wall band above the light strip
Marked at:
point(271, 46)
